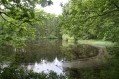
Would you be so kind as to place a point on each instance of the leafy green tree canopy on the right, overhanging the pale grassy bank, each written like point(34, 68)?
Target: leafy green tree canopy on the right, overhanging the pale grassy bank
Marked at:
point(92, 19)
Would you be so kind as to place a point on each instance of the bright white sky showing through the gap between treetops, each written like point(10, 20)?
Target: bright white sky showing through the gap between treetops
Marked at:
point(55, 8)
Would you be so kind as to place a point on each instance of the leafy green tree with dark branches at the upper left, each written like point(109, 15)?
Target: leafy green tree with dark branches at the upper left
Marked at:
point(17, 20)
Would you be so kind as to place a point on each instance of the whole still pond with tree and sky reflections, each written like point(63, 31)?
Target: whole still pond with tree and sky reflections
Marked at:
point(52, 55)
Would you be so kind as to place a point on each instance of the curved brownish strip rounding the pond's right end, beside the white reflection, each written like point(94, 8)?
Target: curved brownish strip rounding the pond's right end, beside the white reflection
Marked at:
point(95, 61)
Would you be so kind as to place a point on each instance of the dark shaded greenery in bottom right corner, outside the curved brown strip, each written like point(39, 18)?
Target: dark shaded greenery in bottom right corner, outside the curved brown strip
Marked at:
point(109, 71)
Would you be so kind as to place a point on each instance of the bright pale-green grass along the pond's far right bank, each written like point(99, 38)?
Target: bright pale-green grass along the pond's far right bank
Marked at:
point(98, 43)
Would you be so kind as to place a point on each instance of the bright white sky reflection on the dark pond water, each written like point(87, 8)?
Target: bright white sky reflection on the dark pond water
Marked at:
point(45, 66)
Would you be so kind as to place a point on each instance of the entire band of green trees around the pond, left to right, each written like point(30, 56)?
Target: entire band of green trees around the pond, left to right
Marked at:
point(81, 19)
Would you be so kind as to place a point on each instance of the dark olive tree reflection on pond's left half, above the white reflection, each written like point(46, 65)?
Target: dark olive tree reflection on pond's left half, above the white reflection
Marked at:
point(44, 49)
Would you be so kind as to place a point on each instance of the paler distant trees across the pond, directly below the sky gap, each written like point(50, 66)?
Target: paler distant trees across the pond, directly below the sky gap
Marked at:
point(48, 27)
